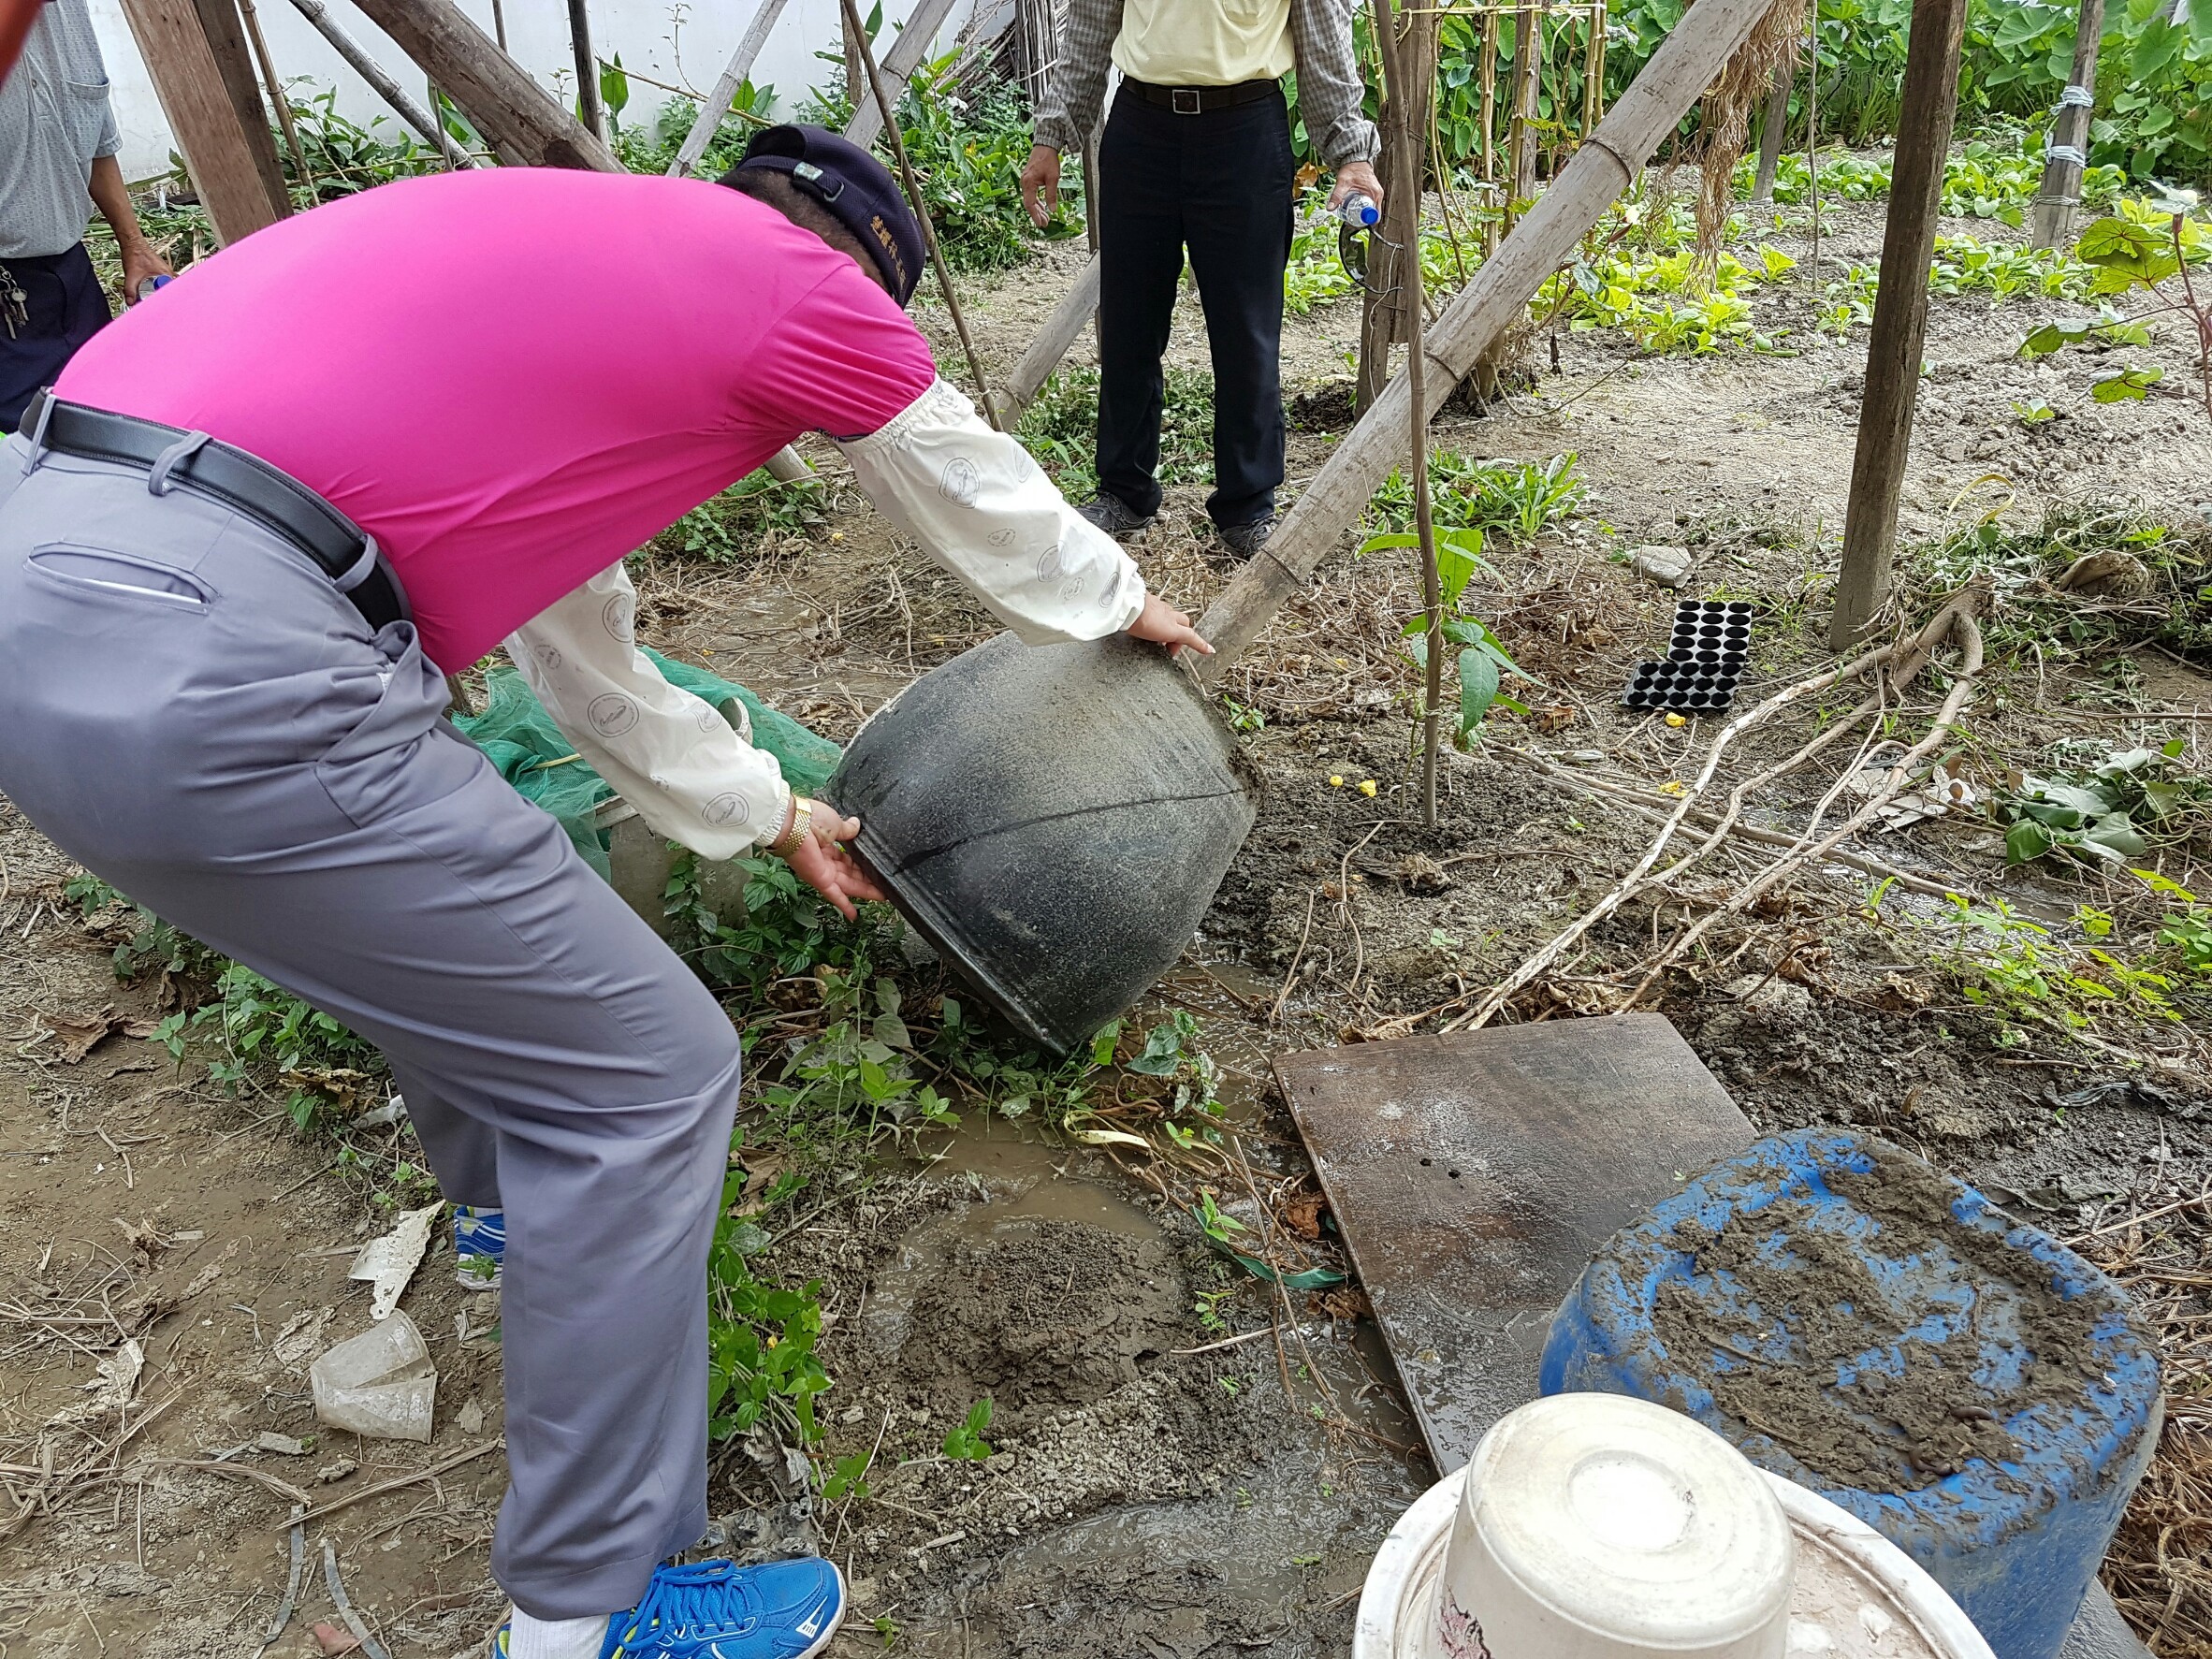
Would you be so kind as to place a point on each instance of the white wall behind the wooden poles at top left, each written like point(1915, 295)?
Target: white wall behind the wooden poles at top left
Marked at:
point(645, 32)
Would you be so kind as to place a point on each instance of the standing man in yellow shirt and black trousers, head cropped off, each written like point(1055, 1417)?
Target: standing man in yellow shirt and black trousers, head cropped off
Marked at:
point(1198, 156)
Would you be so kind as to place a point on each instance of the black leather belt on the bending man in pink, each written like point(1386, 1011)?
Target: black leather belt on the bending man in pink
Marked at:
point(244, 483)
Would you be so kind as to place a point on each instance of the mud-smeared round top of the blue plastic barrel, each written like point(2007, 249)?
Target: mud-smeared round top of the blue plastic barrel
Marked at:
point(1879, 1324)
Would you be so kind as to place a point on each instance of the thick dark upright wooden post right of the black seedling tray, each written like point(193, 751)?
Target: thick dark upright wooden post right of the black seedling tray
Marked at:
point(1901, 313)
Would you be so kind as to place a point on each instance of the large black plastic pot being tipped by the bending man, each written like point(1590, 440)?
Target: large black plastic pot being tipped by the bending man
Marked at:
point(1054, 820)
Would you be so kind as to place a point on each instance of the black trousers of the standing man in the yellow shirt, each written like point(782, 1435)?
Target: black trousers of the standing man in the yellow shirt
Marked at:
point(1218, 185)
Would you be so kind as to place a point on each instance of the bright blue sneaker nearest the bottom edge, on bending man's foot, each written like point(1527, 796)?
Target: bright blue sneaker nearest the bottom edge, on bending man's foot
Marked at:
point(729, 1611)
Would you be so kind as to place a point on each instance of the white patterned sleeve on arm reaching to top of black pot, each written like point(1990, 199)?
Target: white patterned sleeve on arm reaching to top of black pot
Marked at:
point(985, 510)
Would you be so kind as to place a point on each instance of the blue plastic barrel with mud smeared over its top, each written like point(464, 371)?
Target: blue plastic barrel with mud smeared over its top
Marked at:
point(2012, 1530)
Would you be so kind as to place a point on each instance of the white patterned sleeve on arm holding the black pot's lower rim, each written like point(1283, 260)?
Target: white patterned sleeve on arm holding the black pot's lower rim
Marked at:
point(667, 753)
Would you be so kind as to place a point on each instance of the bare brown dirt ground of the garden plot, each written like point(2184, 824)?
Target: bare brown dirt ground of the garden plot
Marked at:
point(1151, 1488)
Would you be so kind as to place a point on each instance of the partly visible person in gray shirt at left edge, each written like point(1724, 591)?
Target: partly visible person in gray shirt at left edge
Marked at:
point(56, 165)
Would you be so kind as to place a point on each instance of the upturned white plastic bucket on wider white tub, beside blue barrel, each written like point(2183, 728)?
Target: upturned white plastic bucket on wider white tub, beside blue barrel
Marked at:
point(1850, 1594)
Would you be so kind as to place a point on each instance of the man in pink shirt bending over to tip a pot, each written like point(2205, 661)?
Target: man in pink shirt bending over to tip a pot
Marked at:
point(244, 541)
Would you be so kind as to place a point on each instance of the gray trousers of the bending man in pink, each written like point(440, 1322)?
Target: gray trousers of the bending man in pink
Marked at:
point(198, 716)
